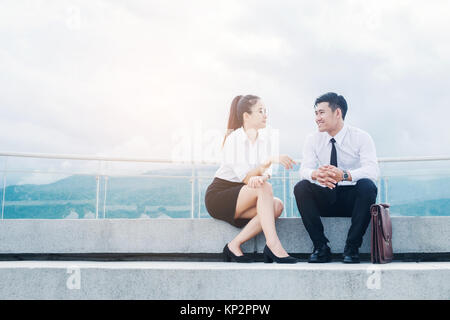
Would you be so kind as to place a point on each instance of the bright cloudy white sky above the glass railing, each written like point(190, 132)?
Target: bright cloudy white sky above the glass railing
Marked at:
point(147, 79)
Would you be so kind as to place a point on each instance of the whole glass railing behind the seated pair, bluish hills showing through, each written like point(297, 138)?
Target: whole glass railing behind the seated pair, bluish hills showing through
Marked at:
point(38, 187)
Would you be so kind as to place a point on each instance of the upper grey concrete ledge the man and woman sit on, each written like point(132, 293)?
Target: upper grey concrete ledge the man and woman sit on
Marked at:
point(410, 235)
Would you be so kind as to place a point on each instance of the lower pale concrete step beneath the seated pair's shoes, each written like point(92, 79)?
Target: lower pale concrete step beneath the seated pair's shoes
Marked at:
point(218, 280)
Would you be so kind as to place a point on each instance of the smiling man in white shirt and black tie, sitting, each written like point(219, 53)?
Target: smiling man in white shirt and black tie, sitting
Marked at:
point(339, 170)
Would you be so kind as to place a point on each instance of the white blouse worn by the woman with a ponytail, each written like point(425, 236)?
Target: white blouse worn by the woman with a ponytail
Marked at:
point(240, 155)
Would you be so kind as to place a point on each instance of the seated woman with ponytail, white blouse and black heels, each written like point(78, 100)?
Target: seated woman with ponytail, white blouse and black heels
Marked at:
point(240, 193)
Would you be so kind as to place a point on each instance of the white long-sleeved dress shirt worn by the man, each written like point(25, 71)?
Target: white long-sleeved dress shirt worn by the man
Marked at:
point(355, 153)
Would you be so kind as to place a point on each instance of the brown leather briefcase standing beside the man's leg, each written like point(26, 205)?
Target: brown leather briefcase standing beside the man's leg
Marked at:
point(381, 237)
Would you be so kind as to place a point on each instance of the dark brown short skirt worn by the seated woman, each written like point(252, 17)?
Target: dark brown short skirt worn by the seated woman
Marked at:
point(220, 200)
